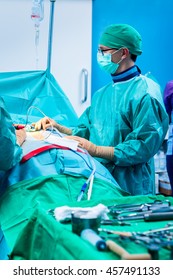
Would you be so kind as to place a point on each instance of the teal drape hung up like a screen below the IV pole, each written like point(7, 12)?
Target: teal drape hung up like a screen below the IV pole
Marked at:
point(22, 89)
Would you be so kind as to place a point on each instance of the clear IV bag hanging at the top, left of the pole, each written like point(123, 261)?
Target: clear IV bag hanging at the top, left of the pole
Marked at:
point(37, 12)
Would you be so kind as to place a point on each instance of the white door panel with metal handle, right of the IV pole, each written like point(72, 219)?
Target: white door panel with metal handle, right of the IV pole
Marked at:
point(71, 62)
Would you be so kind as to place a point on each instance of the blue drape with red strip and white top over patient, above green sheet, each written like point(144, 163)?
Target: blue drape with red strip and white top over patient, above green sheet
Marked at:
point(54, 155)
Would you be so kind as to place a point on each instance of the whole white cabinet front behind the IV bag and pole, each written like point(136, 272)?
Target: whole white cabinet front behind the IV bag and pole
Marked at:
point(71, 48)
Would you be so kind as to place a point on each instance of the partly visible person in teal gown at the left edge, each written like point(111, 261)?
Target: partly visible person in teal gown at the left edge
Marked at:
point(10, 140)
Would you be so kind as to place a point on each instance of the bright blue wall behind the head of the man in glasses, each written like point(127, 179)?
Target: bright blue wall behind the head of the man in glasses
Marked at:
point(154, 21)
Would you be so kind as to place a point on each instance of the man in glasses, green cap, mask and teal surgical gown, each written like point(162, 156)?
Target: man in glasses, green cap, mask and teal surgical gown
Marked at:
point(126, 123)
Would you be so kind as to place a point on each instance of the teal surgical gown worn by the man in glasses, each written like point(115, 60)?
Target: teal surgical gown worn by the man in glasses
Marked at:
point(129, 116)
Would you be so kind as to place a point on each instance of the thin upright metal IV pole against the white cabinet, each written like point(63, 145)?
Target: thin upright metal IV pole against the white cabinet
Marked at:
point(49, 54)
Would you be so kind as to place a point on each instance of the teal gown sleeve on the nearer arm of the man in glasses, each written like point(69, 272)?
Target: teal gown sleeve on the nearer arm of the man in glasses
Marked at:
point(150, 125)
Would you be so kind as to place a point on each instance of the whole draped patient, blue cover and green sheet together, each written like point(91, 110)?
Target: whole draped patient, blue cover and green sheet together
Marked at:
point(50, 175)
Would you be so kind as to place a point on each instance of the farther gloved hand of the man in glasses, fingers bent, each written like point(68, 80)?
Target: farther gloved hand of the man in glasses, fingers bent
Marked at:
point(47, 122)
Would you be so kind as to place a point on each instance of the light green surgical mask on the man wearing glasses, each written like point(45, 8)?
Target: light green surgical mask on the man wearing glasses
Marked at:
point(105, 63)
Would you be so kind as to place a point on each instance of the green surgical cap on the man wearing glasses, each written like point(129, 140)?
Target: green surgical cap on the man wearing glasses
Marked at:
point(122, 35)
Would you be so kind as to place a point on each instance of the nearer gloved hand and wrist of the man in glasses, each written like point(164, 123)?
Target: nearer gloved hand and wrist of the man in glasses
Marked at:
point(94, 150)
